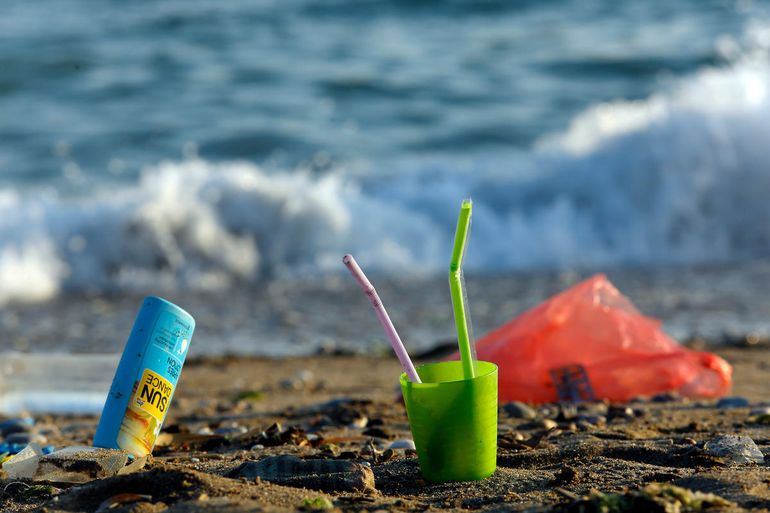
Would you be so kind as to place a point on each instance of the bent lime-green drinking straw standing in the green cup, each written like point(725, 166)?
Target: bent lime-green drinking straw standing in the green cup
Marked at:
point(457, 291)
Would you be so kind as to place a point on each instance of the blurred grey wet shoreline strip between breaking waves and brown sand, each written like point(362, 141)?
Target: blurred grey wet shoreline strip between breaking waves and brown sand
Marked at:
point(292, 318)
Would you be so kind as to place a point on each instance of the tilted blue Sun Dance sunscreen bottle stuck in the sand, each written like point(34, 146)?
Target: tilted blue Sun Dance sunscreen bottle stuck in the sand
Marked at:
point(144, 383)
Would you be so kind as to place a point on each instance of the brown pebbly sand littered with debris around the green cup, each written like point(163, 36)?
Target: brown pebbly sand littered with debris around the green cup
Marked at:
point(229, 411)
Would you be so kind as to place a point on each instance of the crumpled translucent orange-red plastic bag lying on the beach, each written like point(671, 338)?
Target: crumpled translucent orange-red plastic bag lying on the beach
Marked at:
point(592, 331)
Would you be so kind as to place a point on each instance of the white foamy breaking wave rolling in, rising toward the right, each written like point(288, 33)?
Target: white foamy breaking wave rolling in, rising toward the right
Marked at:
point(682, 176)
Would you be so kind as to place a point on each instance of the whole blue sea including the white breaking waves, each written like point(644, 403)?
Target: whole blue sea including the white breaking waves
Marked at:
point(204, 144)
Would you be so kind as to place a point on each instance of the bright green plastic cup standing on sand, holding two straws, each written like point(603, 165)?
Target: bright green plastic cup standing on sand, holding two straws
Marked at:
point(453, 421)
